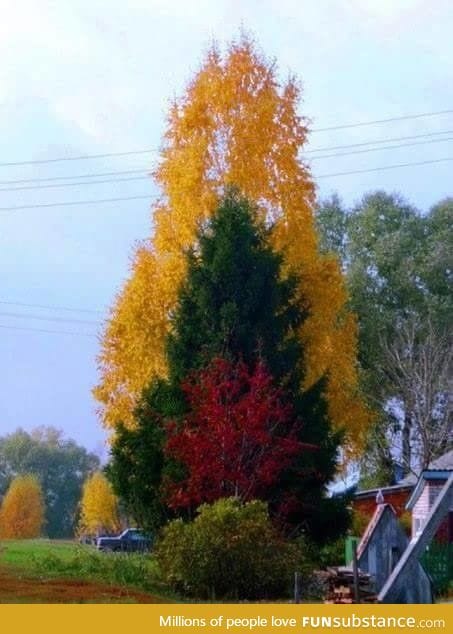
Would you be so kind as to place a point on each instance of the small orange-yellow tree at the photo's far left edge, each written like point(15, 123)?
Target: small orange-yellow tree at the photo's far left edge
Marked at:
point(22, 511)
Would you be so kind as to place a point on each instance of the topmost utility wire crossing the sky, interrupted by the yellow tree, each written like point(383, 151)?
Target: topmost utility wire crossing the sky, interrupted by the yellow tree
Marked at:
point(150, 150)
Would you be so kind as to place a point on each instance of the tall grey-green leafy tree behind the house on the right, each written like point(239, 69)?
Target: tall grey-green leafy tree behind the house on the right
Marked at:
point(399, 267)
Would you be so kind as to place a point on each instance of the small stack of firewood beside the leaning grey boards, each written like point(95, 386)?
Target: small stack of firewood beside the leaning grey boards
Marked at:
point(340, 586)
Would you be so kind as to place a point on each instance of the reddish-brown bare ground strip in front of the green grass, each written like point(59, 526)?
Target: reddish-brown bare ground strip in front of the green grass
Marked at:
point(15, 588)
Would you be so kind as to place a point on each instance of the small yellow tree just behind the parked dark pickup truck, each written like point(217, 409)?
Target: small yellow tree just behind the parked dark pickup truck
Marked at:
point(99, 506)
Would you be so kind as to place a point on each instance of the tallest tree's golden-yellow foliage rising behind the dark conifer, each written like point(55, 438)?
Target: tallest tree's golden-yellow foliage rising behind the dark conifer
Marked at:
point(235, 125)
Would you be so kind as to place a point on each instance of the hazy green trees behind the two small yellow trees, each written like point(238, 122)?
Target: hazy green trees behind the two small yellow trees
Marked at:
point(60, 465)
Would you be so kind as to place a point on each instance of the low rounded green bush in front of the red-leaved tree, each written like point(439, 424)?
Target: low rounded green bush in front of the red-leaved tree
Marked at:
point(231, 551)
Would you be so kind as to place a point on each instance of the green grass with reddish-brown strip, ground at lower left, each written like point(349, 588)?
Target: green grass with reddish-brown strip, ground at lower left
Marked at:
point(45, 571)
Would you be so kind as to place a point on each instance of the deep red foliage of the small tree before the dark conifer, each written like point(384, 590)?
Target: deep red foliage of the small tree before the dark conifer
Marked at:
point(238, 438)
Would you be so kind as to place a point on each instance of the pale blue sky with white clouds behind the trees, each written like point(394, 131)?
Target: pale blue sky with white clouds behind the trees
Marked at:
point(83, 78)
